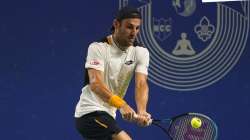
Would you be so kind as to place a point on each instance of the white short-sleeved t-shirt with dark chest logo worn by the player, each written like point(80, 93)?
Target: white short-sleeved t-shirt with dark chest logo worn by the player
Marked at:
point(118, 68)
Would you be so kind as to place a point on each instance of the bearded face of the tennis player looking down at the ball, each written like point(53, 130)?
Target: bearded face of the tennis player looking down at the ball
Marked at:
point(127, 31)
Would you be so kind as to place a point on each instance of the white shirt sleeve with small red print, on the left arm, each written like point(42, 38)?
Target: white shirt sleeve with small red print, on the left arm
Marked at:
point(95, 57)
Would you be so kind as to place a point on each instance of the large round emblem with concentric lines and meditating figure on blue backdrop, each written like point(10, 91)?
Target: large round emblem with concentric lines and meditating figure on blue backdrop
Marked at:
point(192, 44)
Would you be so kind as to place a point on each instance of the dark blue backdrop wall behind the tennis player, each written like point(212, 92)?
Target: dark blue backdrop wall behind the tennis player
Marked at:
point(43, 45)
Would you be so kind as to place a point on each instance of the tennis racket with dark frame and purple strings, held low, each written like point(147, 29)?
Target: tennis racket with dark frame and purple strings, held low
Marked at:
point(180, 128)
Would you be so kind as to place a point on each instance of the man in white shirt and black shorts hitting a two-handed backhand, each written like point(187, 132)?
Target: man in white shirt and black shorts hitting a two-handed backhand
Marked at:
point(110, 64)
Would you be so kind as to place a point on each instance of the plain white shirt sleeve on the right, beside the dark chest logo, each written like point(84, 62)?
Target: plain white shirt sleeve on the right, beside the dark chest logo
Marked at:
point(142, 57)
